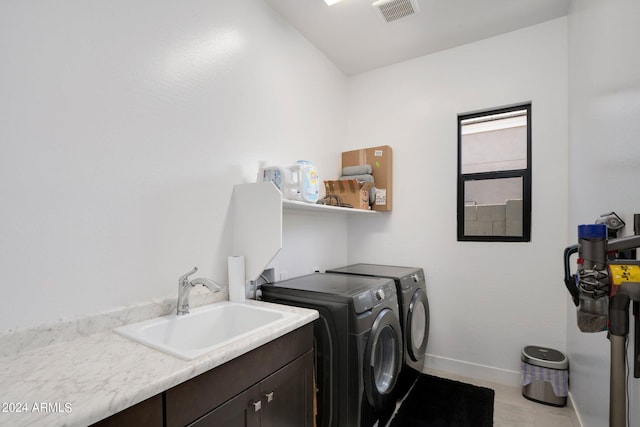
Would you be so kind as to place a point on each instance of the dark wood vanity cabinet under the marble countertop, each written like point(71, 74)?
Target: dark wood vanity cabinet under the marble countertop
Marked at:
point(271, 386)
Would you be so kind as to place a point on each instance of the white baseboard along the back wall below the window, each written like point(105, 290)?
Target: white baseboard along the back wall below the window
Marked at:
point(473, 370)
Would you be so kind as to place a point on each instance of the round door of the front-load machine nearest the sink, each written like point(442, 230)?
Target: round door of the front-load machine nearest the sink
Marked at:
point(382, 358)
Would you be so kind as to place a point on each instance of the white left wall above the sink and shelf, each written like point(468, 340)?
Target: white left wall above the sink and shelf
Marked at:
point(122, 132)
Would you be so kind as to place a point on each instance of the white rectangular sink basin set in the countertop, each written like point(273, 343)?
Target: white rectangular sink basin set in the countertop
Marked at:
point(204, 329)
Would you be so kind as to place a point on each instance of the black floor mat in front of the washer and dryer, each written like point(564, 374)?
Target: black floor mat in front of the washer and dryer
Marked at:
point(440, 402)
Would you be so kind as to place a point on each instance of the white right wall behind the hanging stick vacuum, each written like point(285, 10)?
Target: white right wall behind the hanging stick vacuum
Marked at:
point(604, 165)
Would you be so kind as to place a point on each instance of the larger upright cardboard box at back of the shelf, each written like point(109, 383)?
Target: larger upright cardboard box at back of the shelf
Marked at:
point(381, 161)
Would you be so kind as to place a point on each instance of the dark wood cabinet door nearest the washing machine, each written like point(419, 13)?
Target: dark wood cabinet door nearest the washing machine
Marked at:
point(287, 395)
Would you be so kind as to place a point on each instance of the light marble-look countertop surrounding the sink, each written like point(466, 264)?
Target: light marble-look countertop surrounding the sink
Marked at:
point(81, 380)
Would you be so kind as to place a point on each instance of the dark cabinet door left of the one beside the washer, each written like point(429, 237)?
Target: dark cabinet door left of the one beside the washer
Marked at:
point(241, 411)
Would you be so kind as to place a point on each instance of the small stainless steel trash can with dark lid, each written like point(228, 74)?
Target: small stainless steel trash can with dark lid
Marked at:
point(545, 375)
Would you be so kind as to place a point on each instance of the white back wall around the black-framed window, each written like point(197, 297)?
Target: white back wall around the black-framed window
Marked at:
point(488, 300)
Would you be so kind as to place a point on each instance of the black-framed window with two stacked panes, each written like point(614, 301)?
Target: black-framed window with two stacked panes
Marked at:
point(494, 175)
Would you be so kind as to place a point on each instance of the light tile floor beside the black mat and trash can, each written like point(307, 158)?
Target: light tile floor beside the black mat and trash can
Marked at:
point(512, 410)
